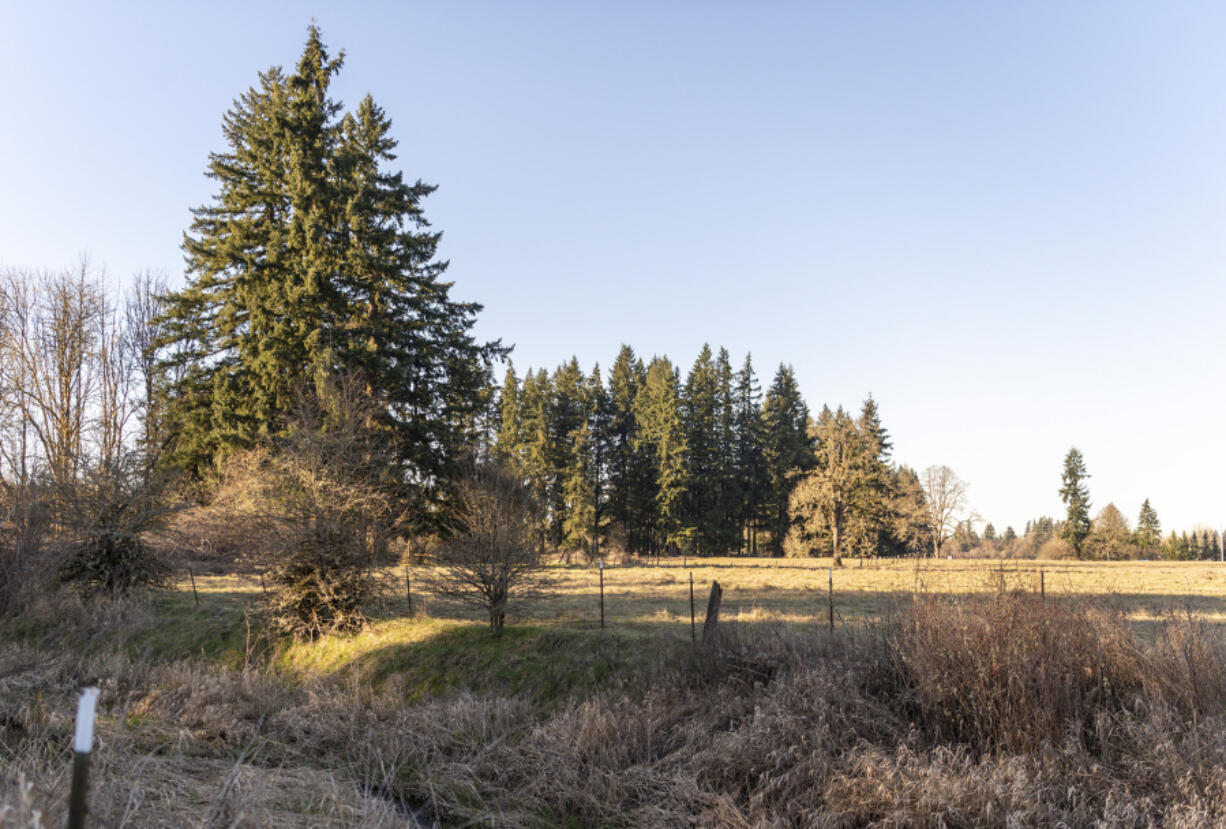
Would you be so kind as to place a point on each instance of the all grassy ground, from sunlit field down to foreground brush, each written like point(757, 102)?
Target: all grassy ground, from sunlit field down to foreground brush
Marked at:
point(962, 706)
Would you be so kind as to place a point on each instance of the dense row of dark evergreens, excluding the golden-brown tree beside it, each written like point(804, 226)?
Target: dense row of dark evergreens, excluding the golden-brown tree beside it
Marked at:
point(645, 463)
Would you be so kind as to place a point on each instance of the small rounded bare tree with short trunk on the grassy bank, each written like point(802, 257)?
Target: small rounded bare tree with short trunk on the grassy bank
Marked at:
point(493, 556)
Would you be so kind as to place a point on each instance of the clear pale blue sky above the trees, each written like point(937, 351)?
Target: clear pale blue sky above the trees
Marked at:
point(1006, 221)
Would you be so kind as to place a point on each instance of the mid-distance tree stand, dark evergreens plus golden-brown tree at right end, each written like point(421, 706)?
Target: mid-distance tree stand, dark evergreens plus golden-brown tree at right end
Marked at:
point(644, 462)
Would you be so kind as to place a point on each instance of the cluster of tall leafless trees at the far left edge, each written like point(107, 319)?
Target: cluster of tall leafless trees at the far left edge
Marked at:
point(67, 403)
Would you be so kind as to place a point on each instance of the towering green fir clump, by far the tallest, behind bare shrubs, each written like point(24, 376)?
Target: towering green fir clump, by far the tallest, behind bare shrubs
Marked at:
point(314, 262)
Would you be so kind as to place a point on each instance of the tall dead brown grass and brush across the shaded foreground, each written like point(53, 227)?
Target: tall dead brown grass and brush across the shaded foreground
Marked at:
point(996, 711)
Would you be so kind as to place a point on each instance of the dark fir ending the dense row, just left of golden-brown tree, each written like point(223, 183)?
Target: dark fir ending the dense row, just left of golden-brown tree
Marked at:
point(788, 448)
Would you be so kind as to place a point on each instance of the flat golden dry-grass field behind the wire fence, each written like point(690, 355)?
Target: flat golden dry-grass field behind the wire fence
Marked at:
point(798, 590)
